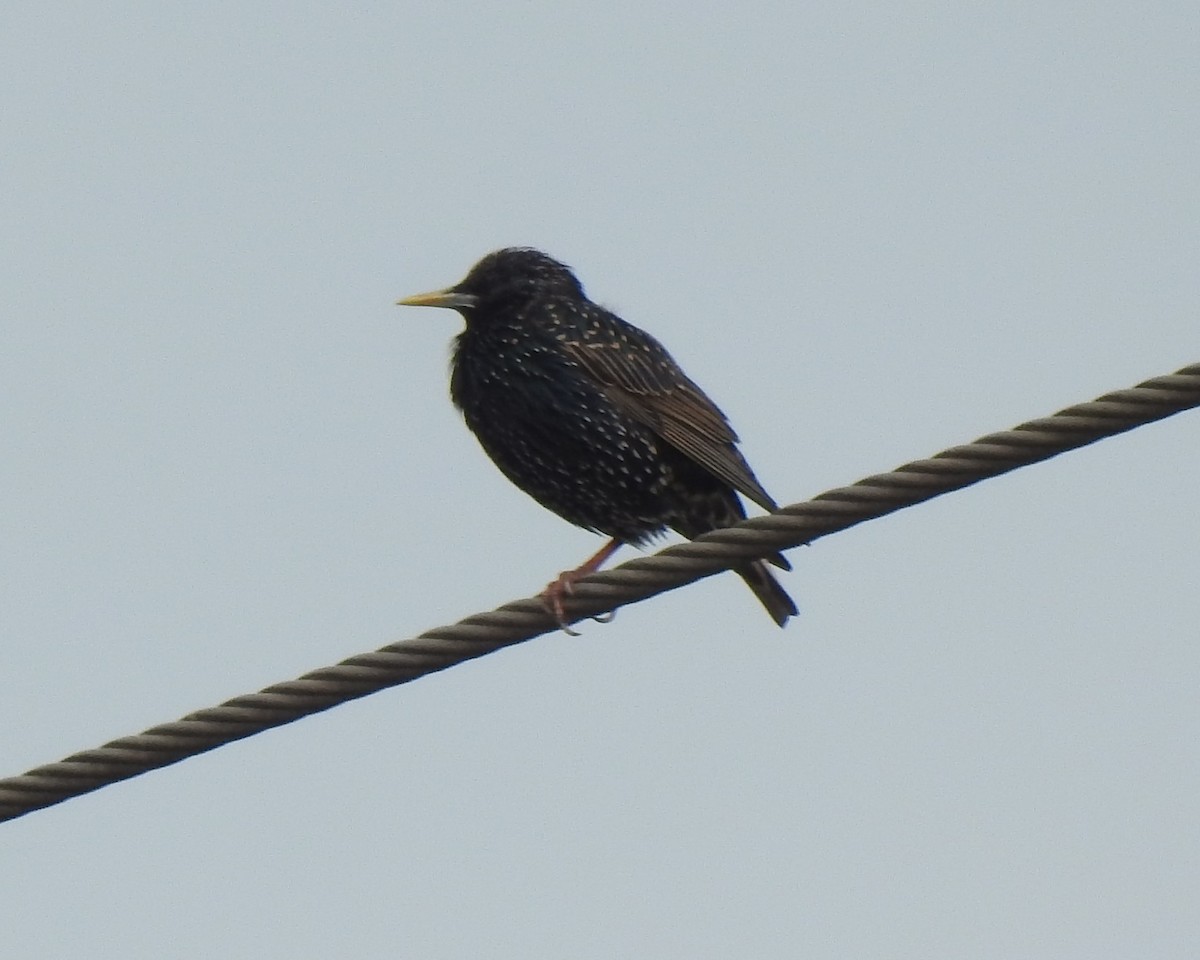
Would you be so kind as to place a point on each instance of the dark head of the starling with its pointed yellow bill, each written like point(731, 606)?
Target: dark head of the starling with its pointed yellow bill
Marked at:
point(505, 283)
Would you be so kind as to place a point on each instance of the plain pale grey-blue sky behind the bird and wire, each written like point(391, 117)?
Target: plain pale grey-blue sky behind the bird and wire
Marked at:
point(869, 231)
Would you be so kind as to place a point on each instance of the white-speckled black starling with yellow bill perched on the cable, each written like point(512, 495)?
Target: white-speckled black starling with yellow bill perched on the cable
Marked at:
point(592, 417)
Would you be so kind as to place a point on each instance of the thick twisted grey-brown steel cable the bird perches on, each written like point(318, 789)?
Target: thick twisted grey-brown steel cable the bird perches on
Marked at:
point(599, 593)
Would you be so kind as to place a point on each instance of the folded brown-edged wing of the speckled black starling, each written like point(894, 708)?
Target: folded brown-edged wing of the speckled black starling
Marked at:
point(641, 377)
